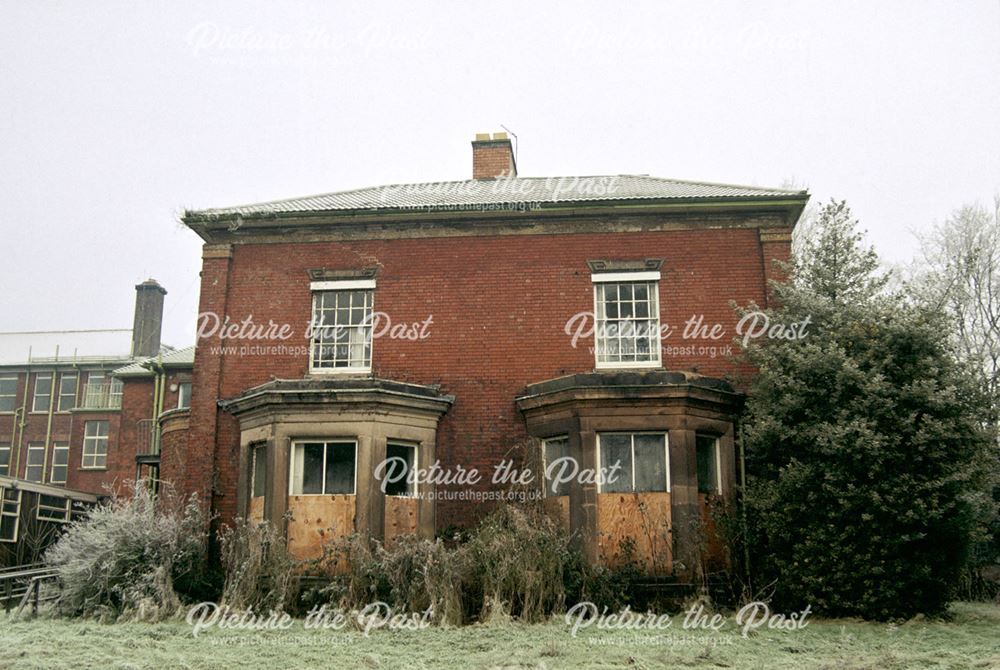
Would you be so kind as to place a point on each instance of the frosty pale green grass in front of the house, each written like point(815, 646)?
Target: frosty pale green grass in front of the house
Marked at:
point(971, 639)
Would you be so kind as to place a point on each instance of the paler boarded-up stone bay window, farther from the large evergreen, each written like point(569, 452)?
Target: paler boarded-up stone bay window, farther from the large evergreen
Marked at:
point(310, 452)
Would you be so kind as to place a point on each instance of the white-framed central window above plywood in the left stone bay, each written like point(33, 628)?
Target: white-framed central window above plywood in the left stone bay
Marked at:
point(323, 467)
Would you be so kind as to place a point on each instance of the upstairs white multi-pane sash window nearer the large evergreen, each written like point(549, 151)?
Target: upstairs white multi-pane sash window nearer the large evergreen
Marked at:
point(627, 319)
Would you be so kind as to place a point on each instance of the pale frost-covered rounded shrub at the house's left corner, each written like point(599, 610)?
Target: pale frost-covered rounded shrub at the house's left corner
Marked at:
point(124, 558)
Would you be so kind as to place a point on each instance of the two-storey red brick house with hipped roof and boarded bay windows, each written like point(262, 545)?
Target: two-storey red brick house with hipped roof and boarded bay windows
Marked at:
point(451, 327)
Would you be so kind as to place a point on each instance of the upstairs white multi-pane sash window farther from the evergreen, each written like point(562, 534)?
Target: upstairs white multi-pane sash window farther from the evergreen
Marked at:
point(341, 326)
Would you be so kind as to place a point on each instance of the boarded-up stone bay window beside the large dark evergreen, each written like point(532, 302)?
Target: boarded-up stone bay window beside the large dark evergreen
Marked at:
point(662, 445)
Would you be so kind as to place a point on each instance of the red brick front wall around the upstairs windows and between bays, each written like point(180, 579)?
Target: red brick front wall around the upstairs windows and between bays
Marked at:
point(499, 307)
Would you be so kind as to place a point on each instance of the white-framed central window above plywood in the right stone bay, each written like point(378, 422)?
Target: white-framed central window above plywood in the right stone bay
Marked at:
point(643, 463)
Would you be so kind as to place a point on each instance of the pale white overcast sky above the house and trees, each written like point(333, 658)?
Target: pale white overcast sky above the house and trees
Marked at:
point(117, 116)
